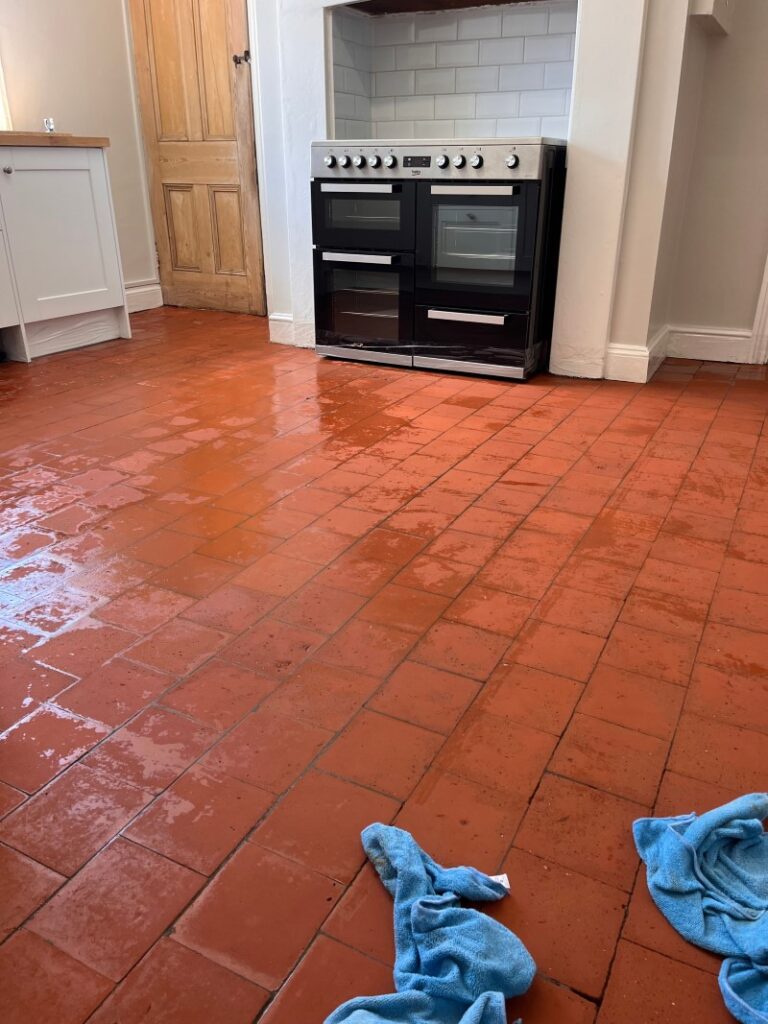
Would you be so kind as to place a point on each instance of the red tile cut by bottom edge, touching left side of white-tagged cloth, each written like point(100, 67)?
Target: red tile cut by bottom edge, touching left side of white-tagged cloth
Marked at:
point(329, 975)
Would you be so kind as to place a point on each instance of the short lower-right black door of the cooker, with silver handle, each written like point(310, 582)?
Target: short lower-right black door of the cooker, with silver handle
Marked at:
point(494, 345)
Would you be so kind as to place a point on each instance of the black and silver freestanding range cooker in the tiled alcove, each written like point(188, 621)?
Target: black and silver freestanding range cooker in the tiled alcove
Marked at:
point(438, 254)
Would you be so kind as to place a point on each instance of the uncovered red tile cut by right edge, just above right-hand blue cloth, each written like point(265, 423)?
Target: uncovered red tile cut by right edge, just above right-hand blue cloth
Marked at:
point(715, 752)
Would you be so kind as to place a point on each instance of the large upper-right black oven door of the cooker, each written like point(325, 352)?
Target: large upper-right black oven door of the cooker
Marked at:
point(476, 245)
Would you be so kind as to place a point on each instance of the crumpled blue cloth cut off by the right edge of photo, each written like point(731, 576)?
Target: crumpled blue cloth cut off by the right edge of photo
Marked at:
point(709, 876)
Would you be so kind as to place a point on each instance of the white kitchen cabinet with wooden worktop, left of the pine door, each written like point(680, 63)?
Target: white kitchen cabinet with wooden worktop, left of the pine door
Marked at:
point(63, 275)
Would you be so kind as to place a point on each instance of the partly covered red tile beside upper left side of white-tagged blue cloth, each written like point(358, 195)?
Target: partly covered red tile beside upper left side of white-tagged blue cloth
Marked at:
point(363, 918)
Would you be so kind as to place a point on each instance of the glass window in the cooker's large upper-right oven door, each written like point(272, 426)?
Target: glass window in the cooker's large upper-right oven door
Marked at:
point(475, 245)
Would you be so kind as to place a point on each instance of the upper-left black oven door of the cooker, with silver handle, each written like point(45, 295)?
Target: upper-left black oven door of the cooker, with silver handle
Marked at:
point(364, 216)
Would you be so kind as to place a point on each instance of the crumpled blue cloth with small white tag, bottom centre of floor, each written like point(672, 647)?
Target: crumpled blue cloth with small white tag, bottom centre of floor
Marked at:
point(453, 965)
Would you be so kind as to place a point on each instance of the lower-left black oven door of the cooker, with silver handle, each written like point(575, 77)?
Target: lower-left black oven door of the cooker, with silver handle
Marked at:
point(364, 306)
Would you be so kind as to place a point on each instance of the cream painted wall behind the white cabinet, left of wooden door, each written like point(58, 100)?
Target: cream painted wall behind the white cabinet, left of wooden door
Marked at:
point(72, 62)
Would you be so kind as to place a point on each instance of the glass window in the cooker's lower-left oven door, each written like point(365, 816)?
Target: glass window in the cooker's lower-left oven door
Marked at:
point(365, 305)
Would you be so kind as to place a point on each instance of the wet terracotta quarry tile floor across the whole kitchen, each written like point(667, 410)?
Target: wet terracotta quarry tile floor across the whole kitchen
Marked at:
point(251, 602)
